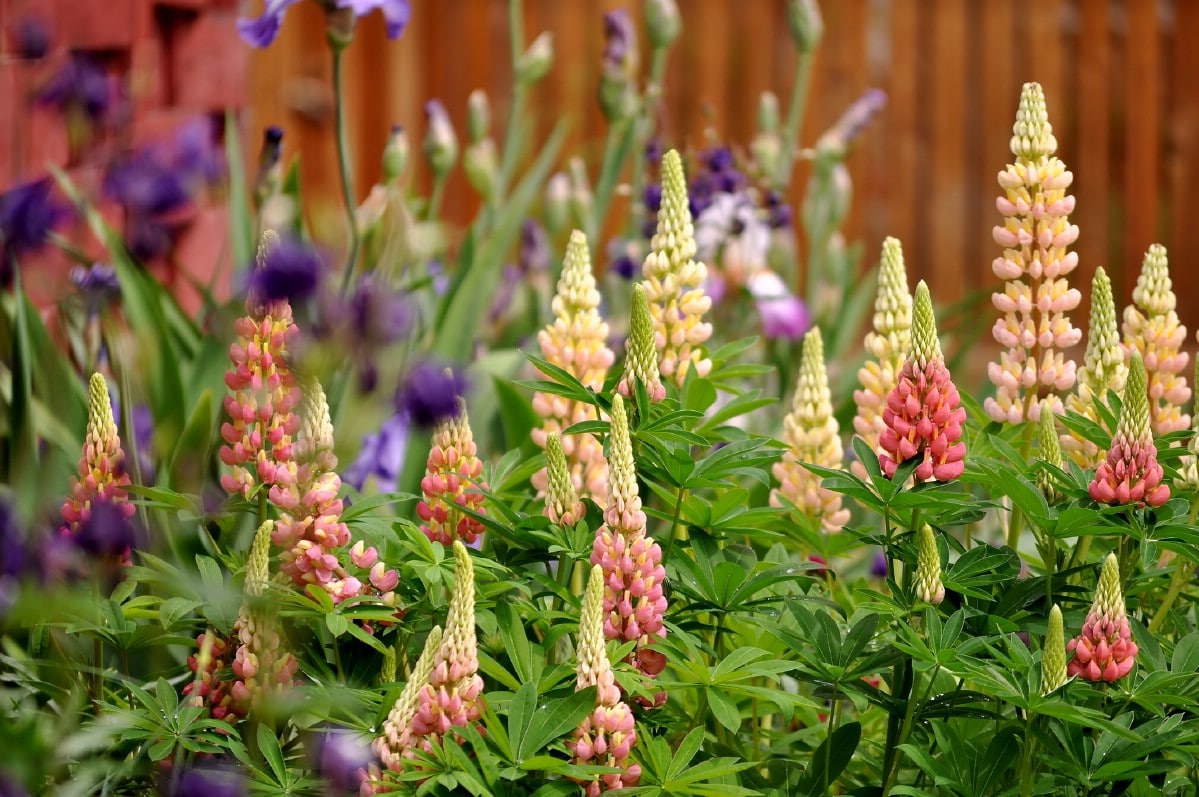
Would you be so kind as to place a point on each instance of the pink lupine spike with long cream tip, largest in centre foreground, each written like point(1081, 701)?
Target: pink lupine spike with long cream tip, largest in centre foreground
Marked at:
point(632, 563)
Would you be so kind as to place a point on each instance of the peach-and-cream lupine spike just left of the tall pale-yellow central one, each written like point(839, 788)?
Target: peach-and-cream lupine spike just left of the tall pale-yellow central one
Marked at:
point(576, 342)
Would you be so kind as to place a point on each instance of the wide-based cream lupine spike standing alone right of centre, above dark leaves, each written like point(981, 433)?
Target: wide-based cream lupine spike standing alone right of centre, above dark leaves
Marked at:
point(812, 437)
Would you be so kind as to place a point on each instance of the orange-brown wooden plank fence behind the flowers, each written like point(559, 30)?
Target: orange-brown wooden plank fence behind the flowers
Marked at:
point(1122, 80)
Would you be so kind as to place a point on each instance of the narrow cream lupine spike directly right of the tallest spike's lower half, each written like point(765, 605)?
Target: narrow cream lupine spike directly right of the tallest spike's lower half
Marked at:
point(1104, 370)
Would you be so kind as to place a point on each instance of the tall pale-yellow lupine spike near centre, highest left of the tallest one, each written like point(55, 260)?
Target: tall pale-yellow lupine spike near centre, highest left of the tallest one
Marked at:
point(674, 281)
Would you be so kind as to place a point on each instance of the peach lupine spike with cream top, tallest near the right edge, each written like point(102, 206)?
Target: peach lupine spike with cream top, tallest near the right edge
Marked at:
point(1152, 328)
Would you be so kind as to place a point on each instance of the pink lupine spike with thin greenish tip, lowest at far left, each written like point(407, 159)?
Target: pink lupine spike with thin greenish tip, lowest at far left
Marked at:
point(263, 667)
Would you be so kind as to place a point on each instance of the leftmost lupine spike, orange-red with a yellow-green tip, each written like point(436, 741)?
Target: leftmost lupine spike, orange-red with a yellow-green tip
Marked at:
point(103, 475)
